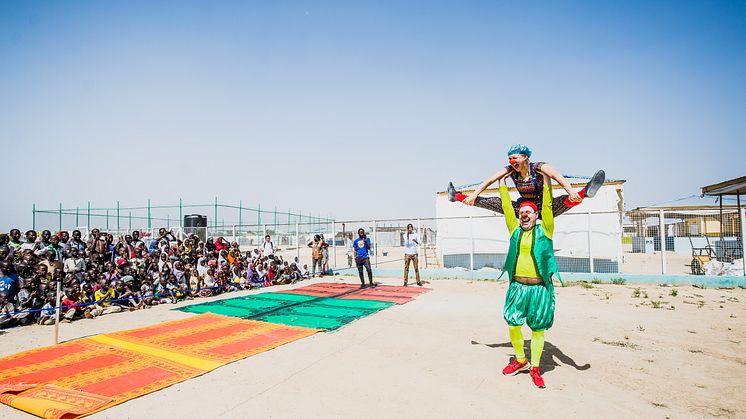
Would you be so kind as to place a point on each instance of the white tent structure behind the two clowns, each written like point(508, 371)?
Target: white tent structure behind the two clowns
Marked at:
point(588, 238)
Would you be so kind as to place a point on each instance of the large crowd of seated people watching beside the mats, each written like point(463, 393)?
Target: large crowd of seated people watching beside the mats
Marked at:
point(104, 274)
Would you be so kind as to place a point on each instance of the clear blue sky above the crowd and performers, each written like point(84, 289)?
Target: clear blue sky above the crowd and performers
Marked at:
point(361, 109)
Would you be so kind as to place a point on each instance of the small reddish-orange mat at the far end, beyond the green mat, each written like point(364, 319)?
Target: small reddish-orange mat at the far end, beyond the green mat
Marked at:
point(390, 293)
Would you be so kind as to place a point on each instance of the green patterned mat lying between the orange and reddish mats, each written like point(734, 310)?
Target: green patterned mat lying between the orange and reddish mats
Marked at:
point(292, 309)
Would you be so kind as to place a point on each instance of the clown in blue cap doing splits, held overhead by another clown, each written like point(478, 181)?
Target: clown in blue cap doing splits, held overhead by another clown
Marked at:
point(528, 178)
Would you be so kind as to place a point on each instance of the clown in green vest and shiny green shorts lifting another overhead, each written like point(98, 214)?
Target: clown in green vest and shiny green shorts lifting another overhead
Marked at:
point(530, 265)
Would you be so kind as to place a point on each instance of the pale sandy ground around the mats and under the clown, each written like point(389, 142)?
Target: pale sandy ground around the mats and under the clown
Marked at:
point(611, 353)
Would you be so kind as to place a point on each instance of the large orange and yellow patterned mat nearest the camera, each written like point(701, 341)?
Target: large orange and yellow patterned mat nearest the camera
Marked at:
point(87, 375)
